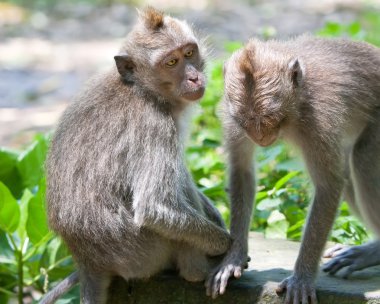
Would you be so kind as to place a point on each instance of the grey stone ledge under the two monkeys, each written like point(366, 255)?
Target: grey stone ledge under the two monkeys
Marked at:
point(272, 261)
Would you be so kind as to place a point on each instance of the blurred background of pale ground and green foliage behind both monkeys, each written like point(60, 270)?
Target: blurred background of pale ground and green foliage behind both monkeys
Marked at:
point(48, 49)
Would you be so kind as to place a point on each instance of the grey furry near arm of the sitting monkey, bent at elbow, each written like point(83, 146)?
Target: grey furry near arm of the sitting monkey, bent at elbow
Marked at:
point(165, 202)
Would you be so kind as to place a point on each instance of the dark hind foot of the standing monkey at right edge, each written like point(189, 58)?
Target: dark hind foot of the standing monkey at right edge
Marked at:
point(353, 258)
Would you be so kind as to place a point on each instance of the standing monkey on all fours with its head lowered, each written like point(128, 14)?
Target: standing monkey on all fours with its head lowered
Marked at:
point(323, 96)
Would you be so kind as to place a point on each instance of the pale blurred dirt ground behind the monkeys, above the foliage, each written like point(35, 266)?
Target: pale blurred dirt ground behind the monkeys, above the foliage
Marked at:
point(45, 56)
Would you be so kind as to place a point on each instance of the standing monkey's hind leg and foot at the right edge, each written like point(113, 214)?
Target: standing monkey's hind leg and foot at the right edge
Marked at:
point(365, 168)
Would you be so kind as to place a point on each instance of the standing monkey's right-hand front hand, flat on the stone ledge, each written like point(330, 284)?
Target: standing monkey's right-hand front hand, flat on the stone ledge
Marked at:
point(299, 289)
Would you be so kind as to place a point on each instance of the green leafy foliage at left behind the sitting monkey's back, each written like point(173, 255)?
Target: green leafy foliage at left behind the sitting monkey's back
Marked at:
point(29, 253)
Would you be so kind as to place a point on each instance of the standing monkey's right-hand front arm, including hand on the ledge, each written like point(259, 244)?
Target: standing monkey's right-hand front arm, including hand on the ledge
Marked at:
point(327, 174)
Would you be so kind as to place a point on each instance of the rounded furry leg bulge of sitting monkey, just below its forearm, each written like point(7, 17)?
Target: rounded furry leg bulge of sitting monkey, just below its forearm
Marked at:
point(193, 265)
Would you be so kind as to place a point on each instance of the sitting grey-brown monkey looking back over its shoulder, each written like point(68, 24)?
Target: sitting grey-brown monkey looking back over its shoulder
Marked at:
point(118, 190)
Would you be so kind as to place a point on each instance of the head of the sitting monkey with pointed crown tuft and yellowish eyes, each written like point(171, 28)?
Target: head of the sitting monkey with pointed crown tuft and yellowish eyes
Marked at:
point(161, 54)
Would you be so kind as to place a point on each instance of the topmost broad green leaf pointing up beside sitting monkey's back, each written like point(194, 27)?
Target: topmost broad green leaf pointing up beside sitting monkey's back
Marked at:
point(31, 162)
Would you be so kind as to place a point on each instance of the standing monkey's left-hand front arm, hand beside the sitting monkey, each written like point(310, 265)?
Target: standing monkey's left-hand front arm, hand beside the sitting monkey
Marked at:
point(241, 190)
